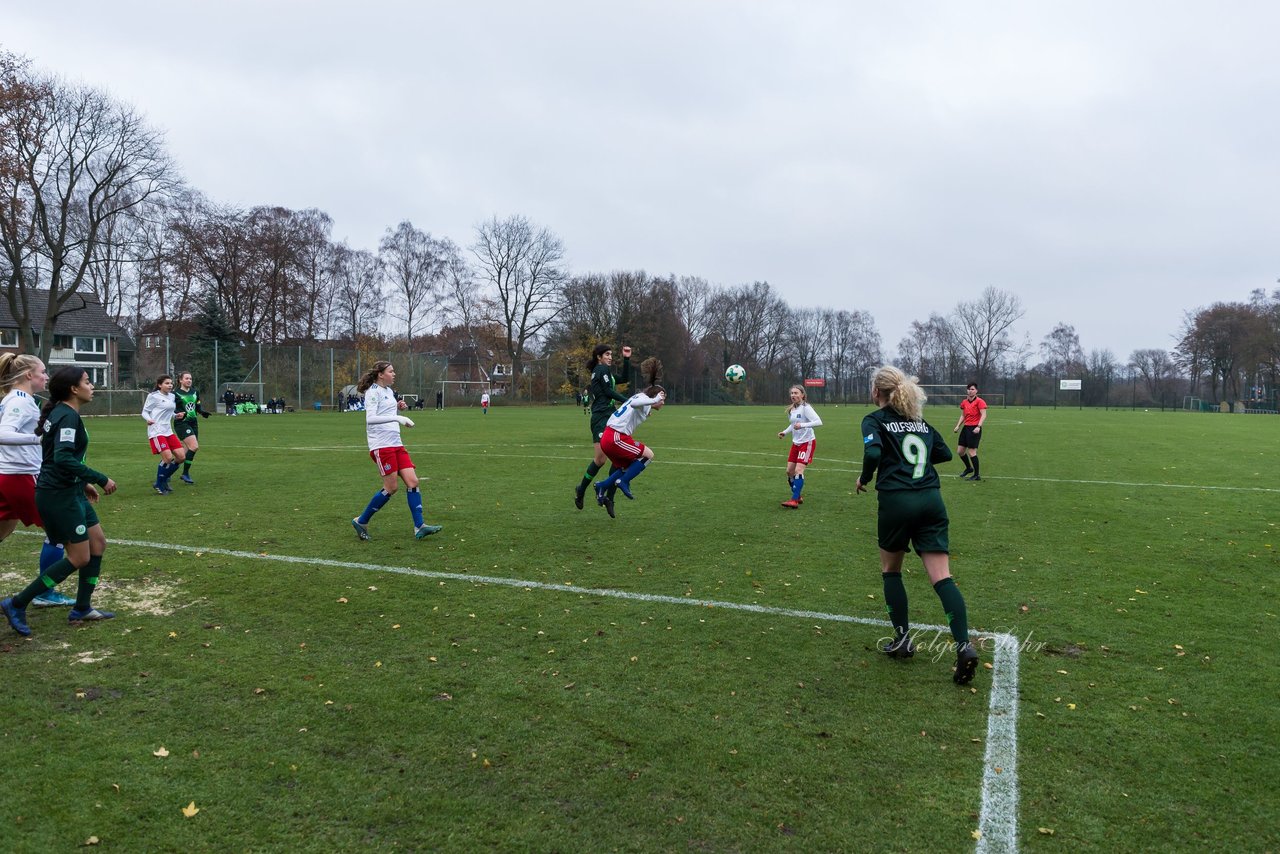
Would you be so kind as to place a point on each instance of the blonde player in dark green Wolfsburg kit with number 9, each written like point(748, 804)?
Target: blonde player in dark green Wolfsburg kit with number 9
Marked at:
point(904, 449)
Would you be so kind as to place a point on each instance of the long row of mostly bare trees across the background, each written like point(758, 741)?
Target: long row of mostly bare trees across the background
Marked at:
point(94, 205)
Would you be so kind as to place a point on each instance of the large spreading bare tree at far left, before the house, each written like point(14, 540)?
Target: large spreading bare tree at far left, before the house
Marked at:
point(76, 163)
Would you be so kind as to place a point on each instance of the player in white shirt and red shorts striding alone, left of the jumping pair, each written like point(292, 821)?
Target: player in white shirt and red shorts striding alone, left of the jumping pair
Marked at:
point(382, 427)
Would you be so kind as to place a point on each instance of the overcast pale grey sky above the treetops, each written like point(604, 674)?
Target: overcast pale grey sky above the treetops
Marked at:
point(1114, 165)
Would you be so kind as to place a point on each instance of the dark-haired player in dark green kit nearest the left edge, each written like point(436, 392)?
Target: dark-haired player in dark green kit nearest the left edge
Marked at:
point(66, 496)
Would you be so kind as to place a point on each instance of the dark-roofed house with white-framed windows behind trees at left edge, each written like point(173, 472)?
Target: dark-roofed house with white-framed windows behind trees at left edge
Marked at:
point(84, 336)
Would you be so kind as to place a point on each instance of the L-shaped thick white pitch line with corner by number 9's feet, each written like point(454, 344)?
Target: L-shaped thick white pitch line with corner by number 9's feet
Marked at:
point(998, 816)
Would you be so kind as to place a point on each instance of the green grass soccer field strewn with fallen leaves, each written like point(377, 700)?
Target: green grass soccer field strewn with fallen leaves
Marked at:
point(313, 692)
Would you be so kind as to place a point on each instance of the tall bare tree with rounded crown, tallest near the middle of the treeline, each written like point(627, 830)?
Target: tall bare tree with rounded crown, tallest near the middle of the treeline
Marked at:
point(525, 266)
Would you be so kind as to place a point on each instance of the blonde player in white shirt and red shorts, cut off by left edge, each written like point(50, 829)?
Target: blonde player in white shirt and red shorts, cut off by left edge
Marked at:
point(21, 377)
